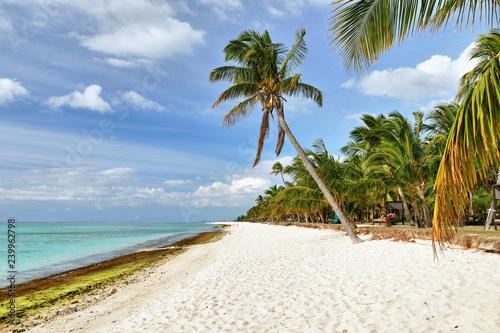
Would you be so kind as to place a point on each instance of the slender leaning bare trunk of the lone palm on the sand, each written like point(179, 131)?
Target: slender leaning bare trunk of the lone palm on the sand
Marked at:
point(343, 219)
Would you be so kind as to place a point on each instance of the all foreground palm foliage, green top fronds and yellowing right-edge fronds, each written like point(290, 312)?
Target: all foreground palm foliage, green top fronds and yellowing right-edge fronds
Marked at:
point(362, 30)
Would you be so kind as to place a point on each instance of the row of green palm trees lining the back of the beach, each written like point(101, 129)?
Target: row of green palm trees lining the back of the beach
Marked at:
point(389, 158)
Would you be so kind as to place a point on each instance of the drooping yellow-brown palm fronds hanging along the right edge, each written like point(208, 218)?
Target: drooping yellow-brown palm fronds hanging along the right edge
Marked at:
point(474, 141)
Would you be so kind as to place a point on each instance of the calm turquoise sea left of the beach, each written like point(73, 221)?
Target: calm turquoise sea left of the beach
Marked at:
point(46, 248)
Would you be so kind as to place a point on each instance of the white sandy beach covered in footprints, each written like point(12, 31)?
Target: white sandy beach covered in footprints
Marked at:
point(264, 278)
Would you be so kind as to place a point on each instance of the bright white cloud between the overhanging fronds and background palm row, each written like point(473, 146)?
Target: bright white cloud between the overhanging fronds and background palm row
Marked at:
point(435, 77)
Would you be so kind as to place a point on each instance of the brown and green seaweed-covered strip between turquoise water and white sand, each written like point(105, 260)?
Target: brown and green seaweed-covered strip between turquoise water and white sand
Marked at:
point(37, 297)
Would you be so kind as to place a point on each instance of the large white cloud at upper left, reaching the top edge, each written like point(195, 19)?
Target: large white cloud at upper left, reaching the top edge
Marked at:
point(124, 28)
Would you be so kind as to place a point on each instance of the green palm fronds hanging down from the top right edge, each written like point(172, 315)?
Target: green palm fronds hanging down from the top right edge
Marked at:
point(362, 30)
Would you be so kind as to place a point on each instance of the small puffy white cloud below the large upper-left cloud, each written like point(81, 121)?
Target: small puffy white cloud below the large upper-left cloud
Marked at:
point(89, 99)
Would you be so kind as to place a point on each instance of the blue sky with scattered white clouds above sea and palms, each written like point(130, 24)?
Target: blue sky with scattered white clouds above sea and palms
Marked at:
point(106, 109)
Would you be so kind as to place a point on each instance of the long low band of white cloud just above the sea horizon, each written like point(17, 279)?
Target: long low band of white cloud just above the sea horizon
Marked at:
point(123, 187)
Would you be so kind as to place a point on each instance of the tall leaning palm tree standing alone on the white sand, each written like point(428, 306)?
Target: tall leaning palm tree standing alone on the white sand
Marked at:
point(265, 76)
